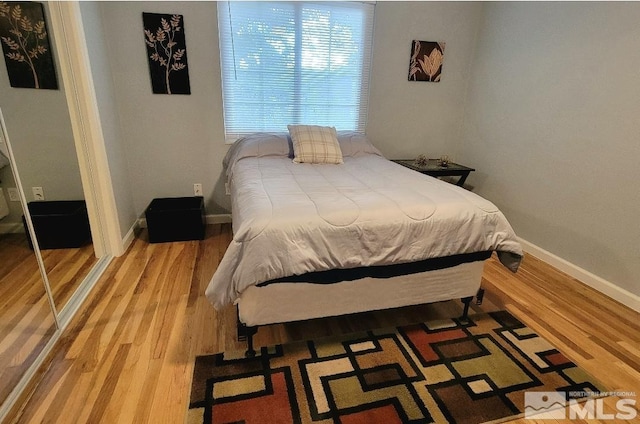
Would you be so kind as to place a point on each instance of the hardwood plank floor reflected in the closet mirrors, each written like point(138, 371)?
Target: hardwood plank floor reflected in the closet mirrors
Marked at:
point(26, 320)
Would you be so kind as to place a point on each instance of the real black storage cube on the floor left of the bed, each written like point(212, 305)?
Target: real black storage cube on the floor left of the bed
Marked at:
point(175, 219)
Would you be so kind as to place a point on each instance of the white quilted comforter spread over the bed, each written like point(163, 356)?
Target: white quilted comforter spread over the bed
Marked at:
point(290, 219)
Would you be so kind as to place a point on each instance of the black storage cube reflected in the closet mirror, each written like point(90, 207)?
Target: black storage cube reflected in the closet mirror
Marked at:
point(60, 224)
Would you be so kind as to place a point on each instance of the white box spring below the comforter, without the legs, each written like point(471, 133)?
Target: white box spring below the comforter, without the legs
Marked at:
point(286, 302)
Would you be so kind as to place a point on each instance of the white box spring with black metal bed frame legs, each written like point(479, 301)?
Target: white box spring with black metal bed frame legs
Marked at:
point(382, 288)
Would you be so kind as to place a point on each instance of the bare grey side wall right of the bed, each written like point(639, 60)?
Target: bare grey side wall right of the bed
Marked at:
point(552, 126)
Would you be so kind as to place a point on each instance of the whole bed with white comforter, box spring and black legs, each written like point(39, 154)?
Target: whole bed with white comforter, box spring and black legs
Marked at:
point(313, 240)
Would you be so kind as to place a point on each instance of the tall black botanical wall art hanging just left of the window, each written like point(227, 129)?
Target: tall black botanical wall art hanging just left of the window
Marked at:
point(167, 53)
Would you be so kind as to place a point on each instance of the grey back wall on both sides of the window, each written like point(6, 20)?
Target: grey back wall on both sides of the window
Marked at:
point(174, 141)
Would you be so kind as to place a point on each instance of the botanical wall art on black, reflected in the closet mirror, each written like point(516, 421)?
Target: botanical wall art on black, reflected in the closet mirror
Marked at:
point(25, 44)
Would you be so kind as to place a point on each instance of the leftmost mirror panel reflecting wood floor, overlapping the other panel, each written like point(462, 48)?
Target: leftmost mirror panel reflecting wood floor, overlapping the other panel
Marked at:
point(26, 318)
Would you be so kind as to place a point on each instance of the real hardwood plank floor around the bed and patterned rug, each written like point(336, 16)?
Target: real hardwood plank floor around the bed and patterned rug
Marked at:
point(128, 355)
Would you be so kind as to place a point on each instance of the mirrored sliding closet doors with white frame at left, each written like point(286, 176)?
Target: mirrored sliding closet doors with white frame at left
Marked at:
point(48, 259)
